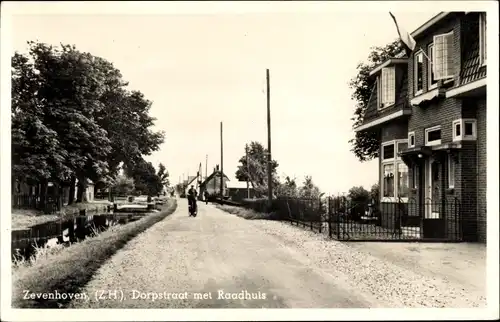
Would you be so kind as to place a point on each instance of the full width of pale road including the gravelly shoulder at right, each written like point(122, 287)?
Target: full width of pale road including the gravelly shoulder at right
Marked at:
point(219, 260)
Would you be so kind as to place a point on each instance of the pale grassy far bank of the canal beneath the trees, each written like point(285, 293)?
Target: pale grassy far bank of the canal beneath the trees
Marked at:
point(25, 218)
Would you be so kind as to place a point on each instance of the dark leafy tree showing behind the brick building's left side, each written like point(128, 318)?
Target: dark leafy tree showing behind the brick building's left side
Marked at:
point(365, 145)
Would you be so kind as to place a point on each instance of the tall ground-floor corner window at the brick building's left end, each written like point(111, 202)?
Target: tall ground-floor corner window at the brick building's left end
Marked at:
point(394, 176)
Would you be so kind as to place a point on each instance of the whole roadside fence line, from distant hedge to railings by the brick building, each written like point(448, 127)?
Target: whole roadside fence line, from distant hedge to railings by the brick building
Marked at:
point(359, 220)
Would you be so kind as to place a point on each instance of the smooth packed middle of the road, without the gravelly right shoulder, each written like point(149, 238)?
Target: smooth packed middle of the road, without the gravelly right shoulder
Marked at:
point(214, 255)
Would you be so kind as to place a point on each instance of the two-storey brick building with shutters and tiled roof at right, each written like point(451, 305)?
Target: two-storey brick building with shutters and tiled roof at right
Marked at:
point(429, 111)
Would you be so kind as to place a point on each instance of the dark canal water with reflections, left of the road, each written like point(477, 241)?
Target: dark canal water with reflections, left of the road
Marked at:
point(76, 229)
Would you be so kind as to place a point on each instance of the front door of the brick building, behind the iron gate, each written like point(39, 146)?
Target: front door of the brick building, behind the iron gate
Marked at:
point(433, 224)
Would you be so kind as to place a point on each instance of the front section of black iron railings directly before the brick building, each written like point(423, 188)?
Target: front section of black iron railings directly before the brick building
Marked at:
point(399, 220)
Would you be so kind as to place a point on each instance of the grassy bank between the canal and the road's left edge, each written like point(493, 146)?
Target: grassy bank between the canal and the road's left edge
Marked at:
point(70, 269)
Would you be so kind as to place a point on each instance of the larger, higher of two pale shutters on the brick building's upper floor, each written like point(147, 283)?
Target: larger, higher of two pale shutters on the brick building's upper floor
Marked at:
point(442, 60)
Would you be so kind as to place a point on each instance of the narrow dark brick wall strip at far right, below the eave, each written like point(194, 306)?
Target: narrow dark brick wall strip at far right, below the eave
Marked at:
point(481, 169)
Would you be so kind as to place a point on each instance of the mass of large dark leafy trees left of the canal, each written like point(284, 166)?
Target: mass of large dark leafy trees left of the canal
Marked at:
point(73, 117)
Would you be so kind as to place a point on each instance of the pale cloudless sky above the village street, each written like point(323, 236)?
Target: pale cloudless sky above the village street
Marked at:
point(203, 69)
